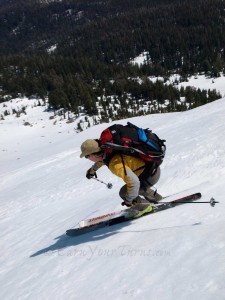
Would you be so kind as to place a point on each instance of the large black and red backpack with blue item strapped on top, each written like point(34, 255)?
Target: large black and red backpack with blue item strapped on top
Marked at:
point(132, 140)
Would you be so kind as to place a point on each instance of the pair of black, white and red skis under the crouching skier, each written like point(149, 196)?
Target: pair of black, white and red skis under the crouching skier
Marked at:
point(122, 216)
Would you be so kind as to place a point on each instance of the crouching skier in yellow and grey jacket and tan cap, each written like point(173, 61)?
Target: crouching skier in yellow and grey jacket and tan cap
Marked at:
point(138, 175)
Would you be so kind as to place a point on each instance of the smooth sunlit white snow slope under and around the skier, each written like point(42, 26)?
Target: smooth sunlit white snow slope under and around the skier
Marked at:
point(175, 254)
